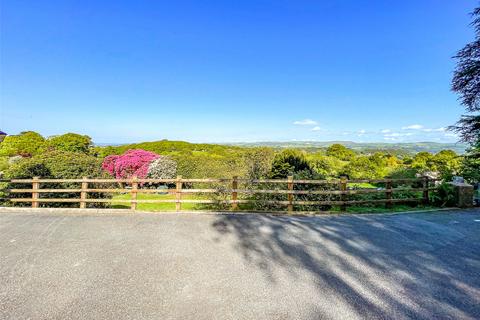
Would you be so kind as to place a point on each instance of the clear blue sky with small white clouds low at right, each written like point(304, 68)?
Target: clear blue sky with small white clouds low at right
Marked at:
point(218, 71)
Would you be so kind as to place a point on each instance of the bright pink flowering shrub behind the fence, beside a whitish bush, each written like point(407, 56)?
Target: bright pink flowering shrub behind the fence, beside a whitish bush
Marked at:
point(131, 163)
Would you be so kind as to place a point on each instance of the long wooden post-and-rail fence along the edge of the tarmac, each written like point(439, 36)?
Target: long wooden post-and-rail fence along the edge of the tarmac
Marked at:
point(342, 189)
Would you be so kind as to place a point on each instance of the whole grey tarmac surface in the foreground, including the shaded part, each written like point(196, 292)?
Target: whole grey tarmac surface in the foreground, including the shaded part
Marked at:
point(204, 266)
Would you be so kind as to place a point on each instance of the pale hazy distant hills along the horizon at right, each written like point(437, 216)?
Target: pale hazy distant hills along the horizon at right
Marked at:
point(407, 147)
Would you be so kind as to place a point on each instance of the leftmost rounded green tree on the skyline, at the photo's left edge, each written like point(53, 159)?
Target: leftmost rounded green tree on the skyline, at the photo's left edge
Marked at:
point(26, 144)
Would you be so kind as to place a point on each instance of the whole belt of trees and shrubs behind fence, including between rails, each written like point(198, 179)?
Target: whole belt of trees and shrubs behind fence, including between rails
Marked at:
point(73, 156)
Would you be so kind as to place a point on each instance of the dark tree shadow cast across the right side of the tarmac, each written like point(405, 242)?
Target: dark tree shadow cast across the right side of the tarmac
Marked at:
point(420, 266)
